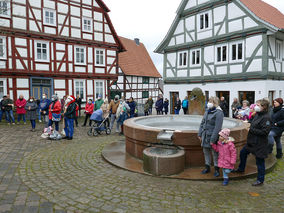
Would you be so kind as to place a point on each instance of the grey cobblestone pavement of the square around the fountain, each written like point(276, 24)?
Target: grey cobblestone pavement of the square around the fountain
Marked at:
point(38, 175)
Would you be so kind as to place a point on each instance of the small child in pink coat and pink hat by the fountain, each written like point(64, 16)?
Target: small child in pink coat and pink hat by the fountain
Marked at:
point(227, 154)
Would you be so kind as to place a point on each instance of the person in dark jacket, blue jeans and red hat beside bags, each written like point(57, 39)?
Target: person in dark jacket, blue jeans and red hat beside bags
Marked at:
point(69, 116)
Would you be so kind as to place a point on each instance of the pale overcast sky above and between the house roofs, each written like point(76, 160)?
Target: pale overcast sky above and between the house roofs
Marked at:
point(150, 20)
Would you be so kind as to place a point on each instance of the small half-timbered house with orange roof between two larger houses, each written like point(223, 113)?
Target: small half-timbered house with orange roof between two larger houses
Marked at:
point(138, 76)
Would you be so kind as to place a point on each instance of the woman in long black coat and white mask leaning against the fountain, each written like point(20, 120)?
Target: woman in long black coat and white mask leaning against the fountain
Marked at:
point(257, 141)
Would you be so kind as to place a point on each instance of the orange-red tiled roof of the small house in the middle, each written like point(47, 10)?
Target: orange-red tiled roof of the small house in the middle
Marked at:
point(136, 60)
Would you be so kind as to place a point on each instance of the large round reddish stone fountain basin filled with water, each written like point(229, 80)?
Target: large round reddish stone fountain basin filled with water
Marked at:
point(142, 132)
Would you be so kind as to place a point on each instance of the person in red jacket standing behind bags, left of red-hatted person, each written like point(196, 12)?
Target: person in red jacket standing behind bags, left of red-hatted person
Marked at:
point(54, 112)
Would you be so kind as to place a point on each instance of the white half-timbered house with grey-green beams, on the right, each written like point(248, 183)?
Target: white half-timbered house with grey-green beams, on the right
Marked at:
point(231, 48)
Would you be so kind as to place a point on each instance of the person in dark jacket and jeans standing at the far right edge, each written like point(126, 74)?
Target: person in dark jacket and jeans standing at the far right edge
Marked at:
point(277, 118)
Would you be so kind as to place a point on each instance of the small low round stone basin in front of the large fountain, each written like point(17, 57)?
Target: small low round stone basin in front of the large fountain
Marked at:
point(163, 161)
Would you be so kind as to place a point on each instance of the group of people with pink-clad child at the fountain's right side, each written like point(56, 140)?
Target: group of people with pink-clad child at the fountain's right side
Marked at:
point(266, 128)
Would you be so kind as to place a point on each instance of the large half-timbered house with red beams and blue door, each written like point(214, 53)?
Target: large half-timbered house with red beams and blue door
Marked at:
point(57, 46)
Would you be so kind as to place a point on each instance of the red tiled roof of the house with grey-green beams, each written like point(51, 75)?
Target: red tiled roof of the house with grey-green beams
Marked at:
point(265, 12)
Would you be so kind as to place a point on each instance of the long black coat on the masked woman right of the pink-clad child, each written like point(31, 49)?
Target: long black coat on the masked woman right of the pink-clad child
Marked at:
point(257, 139)
